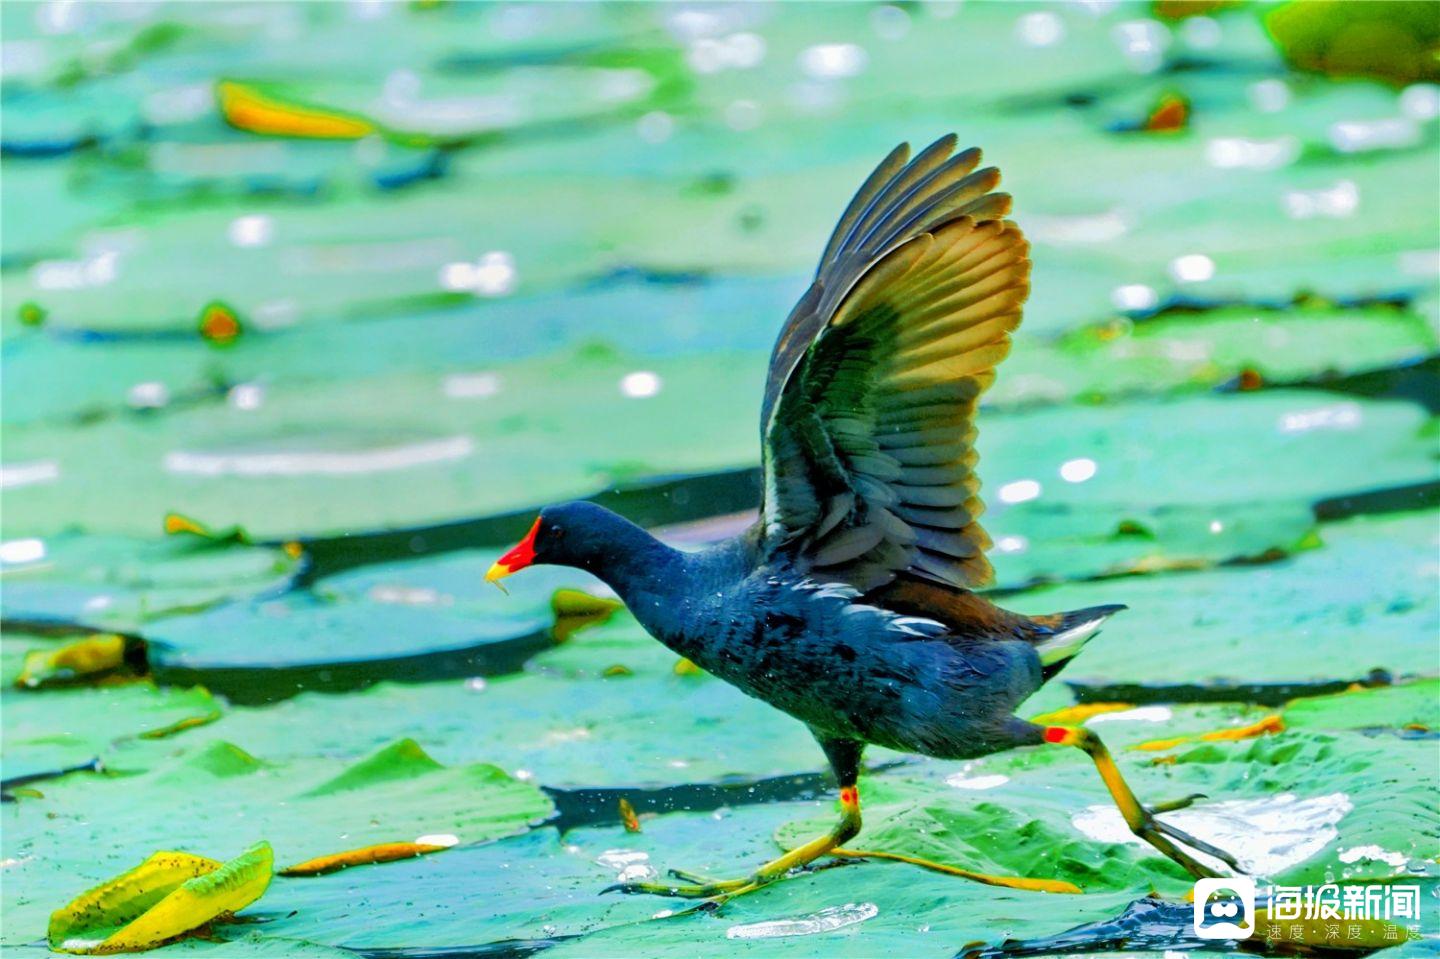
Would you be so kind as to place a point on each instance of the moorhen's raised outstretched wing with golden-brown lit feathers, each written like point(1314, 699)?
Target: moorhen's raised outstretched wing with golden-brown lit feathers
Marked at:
point(869, 414)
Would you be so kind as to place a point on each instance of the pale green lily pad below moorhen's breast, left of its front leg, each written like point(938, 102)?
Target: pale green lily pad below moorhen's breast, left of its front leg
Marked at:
point(564, 722)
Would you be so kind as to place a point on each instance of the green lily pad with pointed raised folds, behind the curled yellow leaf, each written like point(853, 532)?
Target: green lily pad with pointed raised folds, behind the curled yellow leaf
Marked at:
point(214, 791)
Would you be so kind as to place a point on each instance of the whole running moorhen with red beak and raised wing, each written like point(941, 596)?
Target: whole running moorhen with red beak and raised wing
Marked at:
point(850, 603)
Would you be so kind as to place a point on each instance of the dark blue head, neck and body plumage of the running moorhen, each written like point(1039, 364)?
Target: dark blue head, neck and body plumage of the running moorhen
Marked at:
point(823, 653)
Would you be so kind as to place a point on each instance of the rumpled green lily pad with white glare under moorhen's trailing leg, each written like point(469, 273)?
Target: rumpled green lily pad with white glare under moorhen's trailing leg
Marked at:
point(1295, 807)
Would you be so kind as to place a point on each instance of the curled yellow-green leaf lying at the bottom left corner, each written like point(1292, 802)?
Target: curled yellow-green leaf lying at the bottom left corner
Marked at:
point(163, 898)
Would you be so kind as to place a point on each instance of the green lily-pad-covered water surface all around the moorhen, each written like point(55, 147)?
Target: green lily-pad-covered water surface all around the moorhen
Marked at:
point(554, 271)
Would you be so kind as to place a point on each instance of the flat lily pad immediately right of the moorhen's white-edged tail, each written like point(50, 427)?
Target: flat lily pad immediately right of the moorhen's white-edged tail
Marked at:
point(1364, 603)
